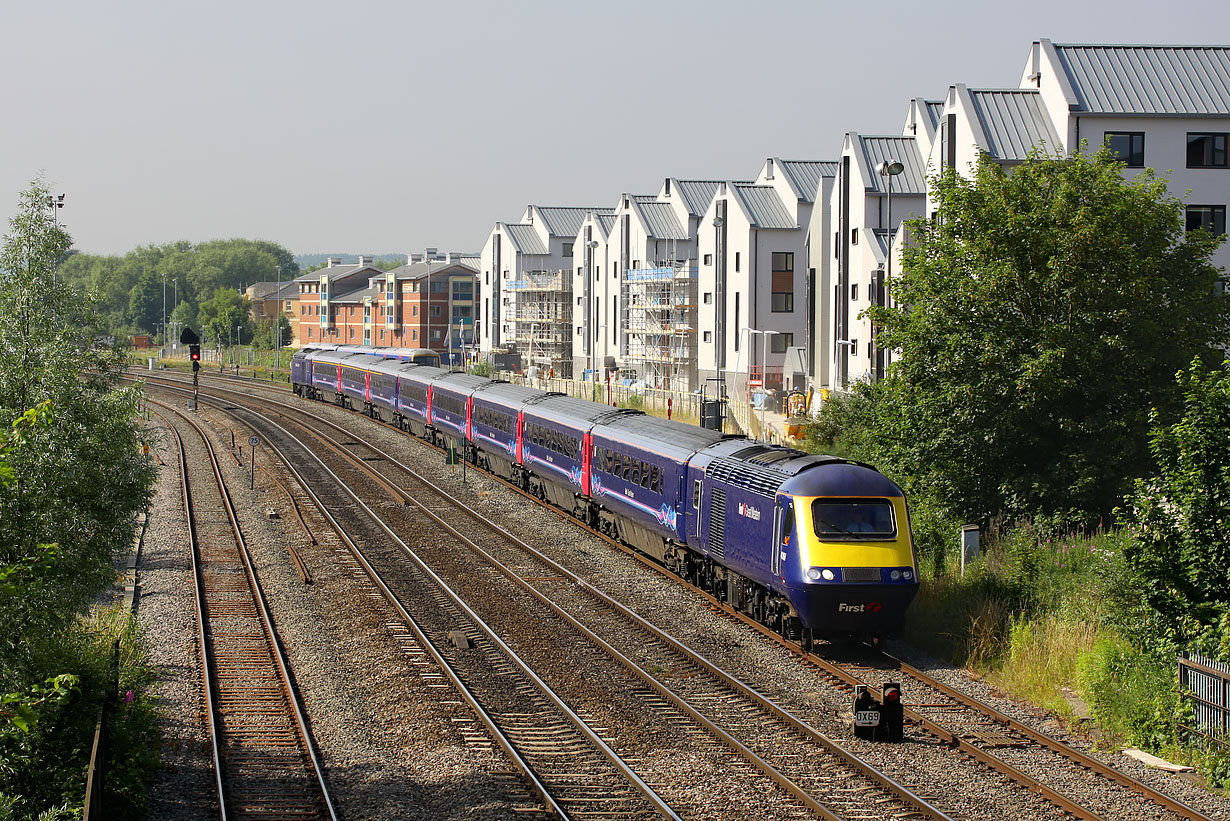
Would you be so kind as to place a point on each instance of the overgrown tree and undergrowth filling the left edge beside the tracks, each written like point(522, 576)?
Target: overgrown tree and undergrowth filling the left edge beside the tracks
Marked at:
point(72, 484)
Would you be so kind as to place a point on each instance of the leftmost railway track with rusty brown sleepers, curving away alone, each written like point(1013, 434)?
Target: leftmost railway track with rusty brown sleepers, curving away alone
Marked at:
point(265, 766)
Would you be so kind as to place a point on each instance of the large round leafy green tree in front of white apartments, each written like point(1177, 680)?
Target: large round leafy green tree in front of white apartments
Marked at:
point(1038, 321)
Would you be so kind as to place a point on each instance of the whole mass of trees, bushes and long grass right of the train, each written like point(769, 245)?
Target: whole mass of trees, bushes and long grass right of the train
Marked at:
point(1040, 323)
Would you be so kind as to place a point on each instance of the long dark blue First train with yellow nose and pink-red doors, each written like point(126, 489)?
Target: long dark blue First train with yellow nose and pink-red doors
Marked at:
point(811, 546)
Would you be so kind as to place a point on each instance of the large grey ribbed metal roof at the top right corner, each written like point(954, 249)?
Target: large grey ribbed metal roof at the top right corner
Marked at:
point(1148, 79)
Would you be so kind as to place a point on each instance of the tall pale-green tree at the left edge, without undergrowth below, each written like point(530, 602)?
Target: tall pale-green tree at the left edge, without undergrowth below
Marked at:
point(81, 479)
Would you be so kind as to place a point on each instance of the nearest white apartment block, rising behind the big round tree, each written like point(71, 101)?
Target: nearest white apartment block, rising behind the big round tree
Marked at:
point(1167, 108)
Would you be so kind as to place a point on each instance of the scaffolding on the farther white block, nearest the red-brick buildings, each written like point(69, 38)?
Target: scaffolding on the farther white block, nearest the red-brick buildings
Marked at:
point(543, 321)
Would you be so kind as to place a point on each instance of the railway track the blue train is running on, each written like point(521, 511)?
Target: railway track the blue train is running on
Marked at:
point(994, 740)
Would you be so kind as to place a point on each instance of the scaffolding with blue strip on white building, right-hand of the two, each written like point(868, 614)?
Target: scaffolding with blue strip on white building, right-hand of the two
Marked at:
point(659, 313)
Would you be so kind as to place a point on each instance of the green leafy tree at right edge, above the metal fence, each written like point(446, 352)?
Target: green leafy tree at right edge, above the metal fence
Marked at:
point(1183, 515)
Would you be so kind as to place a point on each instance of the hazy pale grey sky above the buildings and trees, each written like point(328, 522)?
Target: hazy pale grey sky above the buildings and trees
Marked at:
point(379, 127)
